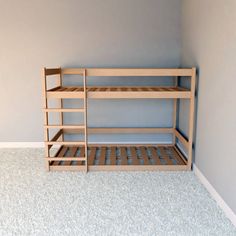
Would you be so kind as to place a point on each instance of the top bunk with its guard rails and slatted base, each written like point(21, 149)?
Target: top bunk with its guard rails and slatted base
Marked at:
point(119, 92)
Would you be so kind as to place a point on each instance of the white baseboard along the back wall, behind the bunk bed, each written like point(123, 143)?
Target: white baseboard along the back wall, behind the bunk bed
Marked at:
point(41, 144)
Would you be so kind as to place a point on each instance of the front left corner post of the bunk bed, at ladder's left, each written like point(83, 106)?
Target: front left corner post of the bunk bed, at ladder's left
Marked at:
point(45, 106)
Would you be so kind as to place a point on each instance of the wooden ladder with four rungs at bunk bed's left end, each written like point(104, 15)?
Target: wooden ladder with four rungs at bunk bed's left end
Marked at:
point(62, 126)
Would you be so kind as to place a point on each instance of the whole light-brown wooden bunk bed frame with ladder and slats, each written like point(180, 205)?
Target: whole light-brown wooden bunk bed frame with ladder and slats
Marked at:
point(84, 156)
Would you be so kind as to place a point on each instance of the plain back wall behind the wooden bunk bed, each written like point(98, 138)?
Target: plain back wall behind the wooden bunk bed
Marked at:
point(69, 33)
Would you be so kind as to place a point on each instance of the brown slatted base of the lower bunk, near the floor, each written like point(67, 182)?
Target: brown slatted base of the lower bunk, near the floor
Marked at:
point(121, 157)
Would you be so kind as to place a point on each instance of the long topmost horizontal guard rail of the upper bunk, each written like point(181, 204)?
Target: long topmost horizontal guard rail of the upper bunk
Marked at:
point(129, 71)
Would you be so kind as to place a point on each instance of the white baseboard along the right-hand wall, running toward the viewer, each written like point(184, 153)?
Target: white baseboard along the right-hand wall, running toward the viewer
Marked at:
point(220, 201)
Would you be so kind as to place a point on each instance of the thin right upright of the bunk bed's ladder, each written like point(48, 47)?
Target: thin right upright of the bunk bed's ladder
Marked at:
point(85, 121)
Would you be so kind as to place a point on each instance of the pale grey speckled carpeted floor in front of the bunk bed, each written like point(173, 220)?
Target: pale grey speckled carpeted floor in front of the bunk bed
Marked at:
point(35, 202)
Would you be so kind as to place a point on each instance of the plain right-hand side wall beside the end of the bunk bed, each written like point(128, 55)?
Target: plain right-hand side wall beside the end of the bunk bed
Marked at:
point(209, 42)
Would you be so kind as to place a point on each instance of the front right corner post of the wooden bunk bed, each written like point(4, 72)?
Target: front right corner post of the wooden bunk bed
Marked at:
point(191, 118)
